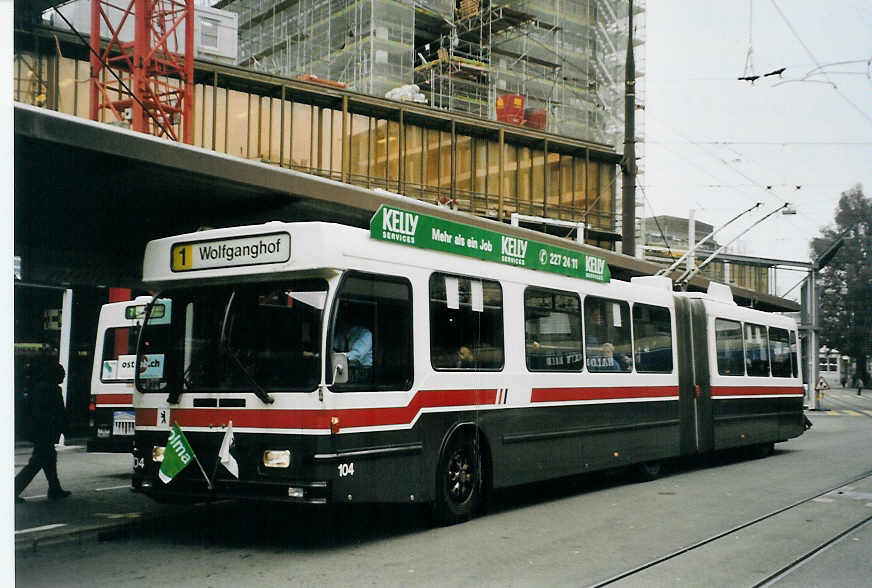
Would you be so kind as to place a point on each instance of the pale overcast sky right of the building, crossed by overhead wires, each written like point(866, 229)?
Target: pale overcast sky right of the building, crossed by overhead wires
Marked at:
point(713, 143)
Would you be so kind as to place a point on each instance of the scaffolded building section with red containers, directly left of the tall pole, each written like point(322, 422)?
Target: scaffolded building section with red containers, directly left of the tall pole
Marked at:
point(563, 60)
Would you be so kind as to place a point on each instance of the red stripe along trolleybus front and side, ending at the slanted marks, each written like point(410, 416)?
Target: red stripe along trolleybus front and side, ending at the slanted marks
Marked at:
point(278, 418)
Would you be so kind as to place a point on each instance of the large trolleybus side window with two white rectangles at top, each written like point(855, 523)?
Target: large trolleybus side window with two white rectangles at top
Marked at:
point(466, 323)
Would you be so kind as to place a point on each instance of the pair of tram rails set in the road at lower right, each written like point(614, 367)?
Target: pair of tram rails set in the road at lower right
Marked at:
point(769, 580)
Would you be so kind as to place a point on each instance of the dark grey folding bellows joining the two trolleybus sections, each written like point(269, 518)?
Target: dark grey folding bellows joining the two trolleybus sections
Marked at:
point(694, 383)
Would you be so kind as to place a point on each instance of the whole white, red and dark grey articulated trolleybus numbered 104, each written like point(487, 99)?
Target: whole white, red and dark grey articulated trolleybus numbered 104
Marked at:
point(431, 361)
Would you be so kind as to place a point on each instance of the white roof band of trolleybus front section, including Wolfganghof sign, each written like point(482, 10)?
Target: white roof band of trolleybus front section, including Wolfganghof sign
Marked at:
point(275, 248)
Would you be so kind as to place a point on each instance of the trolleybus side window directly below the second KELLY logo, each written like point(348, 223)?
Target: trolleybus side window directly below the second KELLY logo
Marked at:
point(552, 331)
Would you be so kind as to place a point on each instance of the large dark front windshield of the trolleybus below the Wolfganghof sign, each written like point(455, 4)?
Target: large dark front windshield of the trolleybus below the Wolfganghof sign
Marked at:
point(256, 337)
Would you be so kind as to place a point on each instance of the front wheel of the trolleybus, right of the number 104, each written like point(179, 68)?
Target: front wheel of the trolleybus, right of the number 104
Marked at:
point(458, 481)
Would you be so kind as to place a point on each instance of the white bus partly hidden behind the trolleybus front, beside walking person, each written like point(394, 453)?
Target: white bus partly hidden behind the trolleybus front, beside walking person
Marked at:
point(112, 417)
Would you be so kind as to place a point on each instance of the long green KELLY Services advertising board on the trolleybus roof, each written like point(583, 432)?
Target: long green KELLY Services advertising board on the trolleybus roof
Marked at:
point(428, 232)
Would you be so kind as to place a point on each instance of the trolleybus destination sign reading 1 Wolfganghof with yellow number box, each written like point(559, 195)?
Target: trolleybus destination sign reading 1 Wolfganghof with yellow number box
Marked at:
point(231, 252)
